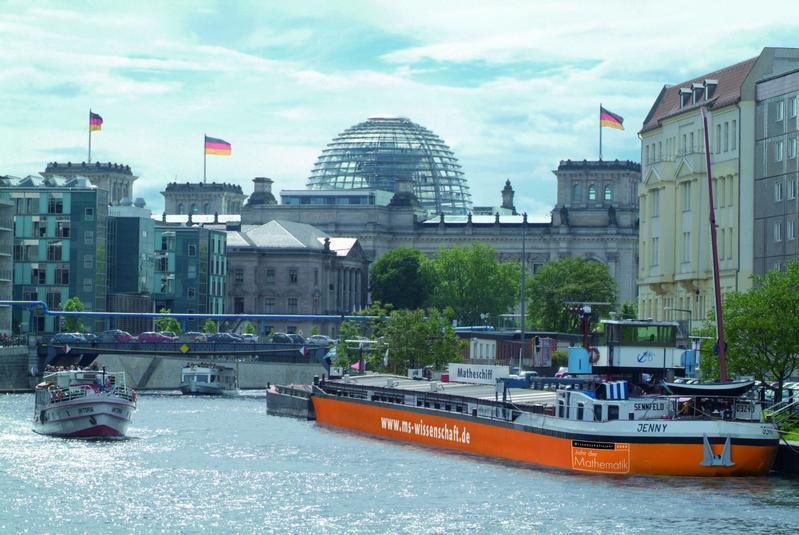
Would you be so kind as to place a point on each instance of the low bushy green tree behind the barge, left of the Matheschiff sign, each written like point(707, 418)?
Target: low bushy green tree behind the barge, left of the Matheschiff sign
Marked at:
point(415, 338)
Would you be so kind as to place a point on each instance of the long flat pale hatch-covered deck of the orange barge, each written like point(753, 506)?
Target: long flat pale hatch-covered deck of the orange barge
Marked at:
point(468, 390)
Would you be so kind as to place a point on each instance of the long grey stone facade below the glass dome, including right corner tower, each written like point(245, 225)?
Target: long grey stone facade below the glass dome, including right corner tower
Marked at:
point(591, 225)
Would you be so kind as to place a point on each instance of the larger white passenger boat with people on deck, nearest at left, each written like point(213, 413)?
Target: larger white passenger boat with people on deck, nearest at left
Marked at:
point(83, 404)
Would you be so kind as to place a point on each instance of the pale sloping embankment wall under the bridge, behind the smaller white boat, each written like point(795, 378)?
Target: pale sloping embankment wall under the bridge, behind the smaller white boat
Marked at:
point(146, 372)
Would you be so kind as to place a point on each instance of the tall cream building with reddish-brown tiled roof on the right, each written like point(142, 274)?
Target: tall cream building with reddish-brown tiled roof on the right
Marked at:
point(675, 278)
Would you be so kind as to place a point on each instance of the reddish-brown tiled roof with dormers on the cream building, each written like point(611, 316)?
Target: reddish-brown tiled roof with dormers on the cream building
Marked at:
point(727, 92)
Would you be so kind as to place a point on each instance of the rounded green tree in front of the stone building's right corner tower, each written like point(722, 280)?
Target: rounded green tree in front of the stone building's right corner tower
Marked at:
point(572, 279)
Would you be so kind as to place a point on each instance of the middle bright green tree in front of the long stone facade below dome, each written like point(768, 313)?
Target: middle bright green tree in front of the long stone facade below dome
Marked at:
point(472, 282)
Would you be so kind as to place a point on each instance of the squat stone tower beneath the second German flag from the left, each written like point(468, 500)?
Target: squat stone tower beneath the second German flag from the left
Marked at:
point(202, 198)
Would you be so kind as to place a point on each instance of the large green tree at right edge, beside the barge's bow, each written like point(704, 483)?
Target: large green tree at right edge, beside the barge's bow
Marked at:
point(760, 327)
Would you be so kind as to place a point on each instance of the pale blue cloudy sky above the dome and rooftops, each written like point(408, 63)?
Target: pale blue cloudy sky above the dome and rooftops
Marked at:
point(513, 87)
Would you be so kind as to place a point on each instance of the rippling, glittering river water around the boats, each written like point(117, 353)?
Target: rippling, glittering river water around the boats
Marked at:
point(214, 465)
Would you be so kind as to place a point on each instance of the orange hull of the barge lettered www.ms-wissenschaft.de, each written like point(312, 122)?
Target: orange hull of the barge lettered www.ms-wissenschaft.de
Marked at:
point(479, 436)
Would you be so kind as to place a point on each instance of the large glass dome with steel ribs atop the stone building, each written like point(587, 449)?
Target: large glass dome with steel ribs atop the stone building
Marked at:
point(375, 153)
